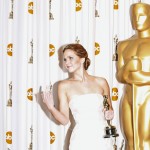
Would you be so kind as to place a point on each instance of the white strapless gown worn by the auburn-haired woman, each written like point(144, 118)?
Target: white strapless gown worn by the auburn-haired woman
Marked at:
point(90, 123)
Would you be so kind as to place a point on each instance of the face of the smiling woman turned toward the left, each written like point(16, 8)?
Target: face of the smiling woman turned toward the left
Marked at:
point(72, 62)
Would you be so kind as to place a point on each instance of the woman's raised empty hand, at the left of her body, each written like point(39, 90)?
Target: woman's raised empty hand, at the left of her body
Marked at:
point(47, 97)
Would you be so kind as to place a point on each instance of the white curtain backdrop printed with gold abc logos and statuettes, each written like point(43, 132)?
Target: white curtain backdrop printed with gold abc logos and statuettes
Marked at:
point(32, 35)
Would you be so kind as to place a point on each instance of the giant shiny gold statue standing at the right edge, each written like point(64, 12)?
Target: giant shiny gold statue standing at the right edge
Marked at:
point(133, 70)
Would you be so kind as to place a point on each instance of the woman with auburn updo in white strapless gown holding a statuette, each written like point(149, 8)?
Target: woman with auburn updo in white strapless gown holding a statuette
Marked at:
point(83, 94)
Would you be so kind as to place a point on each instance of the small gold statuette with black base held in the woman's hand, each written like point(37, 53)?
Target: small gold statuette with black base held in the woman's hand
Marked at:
point(110, 130)
